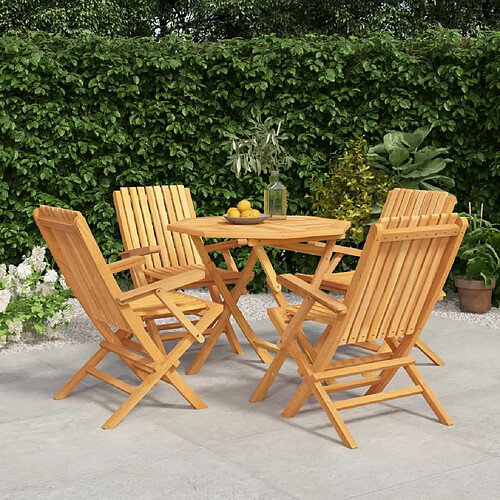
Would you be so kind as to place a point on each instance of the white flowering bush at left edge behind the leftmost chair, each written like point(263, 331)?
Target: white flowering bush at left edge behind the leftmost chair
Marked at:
point(33, 298)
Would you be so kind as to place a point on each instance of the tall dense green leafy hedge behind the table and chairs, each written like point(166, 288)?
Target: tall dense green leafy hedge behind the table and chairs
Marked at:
point(80, 117)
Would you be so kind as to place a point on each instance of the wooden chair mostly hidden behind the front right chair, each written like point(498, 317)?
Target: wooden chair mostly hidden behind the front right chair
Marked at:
point(399, 202)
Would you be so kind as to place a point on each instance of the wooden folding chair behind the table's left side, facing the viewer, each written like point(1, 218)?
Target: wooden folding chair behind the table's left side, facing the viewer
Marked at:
point(143, 216)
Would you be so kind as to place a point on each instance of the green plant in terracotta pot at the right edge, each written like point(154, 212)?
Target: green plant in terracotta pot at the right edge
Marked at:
point(479, 259)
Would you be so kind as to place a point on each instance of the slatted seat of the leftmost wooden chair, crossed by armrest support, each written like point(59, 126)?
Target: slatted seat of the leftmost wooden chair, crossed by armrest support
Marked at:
point(152, 306)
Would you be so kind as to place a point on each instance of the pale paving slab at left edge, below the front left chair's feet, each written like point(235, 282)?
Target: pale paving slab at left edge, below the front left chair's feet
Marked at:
point(53, 447)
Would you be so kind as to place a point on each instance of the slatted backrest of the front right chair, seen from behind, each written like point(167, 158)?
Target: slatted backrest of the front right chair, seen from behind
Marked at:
point(400, 275)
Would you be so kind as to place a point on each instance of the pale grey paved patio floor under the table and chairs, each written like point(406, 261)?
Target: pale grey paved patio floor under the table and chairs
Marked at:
point(236, 449)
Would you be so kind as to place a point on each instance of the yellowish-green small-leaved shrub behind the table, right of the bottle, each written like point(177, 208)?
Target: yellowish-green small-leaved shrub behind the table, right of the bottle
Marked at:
point(352, 190)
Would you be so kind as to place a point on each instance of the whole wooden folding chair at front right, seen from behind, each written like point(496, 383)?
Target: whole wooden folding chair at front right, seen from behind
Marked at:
point(395, 286)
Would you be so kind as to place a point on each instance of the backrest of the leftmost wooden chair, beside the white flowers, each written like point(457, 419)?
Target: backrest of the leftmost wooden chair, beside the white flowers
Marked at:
point(75, 250)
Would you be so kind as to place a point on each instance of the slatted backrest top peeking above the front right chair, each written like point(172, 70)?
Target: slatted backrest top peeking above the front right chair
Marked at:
point(402, 202)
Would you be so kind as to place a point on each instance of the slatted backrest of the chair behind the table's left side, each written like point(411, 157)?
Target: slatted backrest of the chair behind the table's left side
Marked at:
point(143, 215)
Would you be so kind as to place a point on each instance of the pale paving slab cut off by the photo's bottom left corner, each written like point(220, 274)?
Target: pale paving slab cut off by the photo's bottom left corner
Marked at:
point(173, 476)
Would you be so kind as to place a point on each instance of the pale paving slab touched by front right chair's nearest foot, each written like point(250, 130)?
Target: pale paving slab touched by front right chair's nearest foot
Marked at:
point(308, 461)
